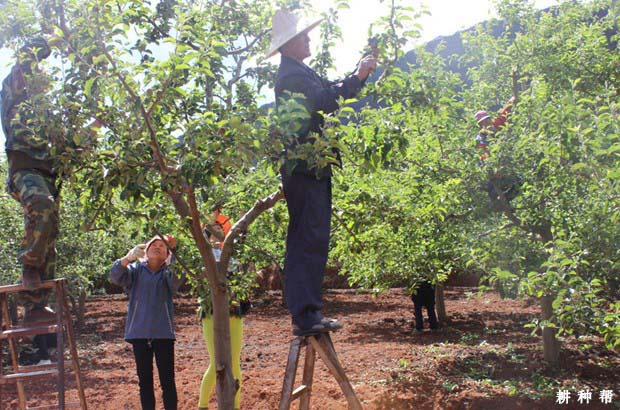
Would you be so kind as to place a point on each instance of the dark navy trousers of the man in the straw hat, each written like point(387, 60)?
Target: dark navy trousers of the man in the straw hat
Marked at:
point(309, 203)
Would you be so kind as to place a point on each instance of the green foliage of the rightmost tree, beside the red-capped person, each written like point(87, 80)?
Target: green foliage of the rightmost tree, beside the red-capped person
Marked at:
point(560, 142)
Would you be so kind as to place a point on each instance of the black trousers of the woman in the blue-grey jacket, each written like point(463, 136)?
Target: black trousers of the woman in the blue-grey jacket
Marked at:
point(143, 350)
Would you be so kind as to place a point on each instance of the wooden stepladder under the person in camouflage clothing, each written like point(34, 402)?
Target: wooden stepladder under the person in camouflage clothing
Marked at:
point(11, 333)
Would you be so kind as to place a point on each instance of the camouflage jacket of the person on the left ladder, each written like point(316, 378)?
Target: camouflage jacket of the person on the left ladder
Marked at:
point(25, 113)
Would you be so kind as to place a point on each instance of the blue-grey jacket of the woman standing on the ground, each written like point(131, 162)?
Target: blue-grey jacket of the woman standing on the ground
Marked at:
point(150, 312)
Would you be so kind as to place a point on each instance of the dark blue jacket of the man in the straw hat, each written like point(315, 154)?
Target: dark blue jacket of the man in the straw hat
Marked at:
point(320, 95)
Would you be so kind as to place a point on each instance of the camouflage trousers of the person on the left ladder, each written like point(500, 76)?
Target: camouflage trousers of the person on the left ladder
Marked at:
point(36, 191)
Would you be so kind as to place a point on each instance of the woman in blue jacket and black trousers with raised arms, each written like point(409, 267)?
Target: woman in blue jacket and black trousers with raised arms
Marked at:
point(149, 326)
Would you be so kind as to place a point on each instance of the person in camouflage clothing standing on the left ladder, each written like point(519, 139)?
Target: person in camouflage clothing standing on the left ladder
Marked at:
point(32, 180)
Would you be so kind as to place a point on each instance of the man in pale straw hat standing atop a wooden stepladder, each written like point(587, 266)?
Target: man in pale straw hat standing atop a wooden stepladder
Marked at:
point(306, 188)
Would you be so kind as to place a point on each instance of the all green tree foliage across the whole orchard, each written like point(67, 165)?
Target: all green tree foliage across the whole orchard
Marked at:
point(178, 92)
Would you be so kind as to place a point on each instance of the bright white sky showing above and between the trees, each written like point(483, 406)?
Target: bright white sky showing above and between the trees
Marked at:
point(446, 17)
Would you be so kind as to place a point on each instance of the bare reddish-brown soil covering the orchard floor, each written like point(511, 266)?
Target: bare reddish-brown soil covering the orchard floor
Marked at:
point(483, 358)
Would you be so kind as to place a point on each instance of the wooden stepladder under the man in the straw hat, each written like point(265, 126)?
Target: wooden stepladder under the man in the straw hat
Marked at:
point(321, 344)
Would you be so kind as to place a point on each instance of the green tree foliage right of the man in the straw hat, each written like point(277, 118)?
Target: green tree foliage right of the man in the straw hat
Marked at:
point(413, 204)
